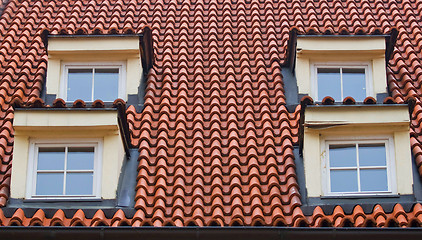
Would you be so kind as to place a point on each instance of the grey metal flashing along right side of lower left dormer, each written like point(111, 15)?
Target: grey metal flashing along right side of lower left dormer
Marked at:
point(127, 180)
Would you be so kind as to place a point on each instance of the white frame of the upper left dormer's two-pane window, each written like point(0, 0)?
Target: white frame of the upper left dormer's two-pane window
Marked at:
point(90, 65)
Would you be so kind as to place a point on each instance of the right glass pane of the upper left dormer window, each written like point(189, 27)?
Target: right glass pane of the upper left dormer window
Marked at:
point(106, 84)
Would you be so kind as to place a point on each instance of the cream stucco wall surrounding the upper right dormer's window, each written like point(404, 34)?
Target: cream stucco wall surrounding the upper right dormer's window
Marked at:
point(339, 51)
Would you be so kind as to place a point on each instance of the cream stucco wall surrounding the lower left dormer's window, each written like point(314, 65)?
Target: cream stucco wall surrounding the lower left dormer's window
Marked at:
point(62, 125)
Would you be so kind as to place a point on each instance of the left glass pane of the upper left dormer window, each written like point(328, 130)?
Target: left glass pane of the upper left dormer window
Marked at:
point(79, 84)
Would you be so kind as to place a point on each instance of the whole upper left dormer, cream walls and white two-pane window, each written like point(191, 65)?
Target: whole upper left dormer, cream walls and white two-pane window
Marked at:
point(93, 67)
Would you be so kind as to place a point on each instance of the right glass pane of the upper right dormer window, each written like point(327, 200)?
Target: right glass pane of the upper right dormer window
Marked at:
point(354, 83)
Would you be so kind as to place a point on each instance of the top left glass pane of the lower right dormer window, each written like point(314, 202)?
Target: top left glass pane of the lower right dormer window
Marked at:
point(343, 155)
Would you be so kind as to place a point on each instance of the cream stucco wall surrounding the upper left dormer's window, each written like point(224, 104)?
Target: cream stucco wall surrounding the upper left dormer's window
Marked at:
point(94, 50)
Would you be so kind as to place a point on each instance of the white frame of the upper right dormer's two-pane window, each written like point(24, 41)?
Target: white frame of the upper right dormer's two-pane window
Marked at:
point(365, 65)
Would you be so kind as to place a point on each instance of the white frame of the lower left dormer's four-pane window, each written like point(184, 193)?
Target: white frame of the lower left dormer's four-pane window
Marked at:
point(32, 166)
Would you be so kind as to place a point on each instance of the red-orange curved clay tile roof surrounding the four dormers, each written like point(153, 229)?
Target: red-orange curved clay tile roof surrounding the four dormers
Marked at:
point(215, 137)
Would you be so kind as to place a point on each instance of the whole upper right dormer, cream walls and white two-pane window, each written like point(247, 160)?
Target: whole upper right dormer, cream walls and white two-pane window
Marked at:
point(341, 67)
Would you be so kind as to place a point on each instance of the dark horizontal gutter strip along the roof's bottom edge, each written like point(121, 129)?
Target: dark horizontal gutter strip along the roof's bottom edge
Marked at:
point(209, 233)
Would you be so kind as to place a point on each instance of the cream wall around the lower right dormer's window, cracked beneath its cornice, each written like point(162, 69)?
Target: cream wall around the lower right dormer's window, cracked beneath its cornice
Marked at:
point(356, 122)
